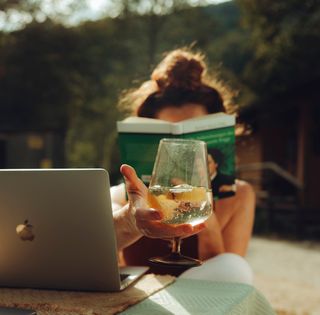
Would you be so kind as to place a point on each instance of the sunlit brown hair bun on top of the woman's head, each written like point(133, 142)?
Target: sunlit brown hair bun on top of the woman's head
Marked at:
point(180, 69)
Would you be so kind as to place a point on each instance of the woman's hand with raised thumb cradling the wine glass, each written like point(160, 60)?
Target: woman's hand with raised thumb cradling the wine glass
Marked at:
point(148, 220)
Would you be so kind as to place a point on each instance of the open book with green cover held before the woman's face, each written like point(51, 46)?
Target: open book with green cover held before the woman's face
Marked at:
point(139, 138)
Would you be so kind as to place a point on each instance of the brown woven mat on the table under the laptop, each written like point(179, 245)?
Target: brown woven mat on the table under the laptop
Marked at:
point(53, 302)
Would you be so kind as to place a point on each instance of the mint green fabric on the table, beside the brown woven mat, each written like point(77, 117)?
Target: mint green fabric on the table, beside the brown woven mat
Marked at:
point(199, 297)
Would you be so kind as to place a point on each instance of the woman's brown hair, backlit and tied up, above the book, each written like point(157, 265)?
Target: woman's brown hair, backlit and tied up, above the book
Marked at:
point(180, 78)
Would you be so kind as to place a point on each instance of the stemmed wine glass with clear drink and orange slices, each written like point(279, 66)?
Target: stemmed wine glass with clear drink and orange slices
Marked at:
point(180, 189)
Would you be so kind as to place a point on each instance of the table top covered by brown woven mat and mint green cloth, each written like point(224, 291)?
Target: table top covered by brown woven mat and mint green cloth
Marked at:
point(158, 295)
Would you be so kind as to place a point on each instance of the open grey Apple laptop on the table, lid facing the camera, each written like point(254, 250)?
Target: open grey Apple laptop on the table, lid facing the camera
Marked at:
point(56, 231)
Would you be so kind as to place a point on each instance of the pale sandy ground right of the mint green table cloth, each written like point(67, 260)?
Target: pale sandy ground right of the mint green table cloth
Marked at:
point(287, 273)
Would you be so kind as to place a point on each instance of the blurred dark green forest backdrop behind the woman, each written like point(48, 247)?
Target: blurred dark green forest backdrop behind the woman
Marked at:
point(54, 75)
